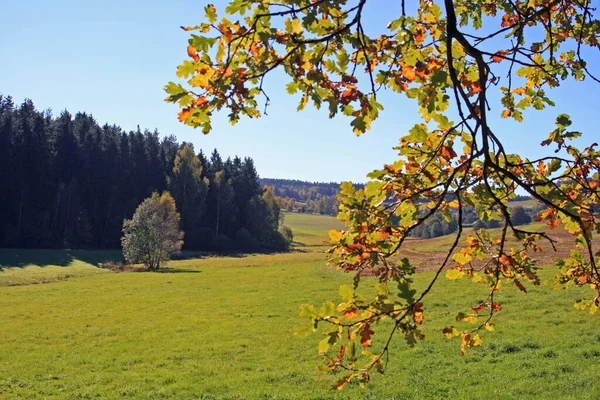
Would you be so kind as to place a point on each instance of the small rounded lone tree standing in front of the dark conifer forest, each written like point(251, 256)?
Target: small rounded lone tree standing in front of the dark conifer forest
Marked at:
point(153, 232)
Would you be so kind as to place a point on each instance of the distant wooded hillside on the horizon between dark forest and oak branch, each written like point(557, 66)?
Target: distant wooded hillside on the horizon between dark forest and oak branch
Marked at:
point(306, 197)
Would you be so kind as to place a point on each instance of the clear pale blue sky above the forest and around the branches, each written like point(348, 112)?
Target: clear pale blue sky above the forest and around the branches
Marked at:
point(112, 58)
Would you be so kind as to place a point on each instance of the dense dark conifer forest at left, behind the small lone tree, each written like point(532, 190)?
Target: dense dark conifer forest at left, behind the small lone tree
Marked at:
point(66, 182)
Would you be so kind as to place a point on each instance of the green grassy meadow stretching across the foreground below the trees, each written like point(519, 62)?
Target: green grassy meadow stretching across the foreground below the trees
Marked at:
point(219, 328)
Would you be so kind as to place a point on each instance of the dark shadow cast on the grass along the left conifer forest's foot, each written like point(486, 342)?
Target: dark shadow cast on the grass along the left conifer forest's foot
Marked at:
point(19, 258)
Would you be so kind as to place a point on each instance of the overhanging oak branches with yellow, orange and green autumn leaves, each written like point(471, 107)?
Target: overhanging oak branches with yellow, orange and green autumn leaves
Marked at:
point(447, 56)
